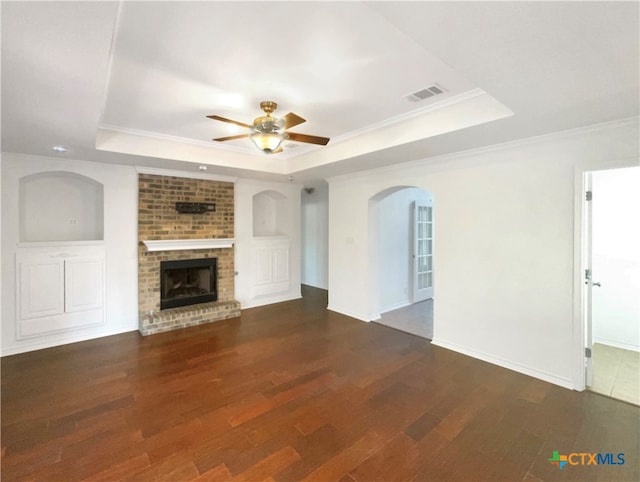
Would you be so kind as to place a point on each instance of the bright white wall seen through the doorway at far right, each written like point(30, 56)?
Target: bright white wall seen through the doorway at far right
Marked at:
point(616, 257)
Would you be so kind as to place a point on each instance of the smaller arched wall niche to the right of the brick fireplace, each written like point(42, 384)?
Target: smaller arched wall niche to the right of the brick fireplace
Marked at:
point(270, 214)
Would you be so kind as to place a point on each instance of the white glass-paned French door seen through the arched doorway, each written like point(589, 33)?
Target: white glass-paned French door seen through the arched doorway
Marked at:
point(422, 252)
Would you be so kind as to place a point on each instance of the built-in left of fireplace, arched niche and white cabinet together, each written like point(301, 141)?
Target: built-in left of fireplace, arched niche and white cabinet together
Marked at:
point(60, 256)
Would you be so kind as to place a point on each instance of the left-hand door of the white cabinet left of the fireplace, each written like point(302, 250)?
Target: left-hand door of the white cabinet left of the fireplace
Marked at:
point(41, 287)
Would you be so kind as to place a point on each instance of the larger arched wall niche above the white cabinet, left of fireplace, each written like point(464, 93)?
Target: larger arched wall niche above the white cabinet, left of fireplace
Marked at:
point(60, 206)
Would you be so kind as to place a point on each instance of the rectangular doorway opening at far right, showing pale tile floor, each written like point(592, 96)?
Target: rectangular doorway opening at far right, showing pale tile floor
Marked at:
point(611, 245)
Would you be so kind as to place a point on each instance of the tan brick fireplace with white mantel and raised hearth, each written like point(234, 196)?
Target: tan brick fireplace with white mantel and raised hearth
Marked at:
point(167, 236)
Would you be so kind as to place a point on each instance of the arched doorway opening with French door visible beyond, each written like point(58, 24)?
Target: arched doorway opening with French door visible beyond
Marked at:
point(401, 242)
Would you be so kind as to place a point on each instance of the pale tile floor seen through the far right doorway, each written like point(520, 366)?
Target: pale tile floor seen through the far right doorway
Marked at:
point(616, 373)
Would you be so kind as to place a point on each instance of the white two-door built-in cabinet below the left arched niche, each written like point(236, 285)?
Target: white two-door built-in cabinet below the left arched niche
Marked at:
point(59, 290)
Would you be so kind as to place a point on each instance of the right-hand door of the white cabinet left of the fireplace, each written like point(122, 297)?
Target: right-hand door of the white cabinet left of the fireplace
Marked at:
point(84, 286)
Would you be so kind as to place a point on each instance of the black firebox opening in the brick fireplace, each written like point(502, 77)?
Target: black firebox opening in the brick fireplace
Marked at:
point(188, 282)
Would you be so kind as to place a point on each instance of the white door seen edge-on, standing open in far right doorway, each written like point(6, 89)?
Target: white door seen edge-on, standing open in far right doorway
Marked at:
point(588, 280)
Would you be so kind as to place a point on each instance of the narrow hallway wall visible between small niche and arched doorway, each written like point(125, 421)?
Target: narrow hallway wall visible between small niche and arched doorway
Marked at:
point(315, 236)
